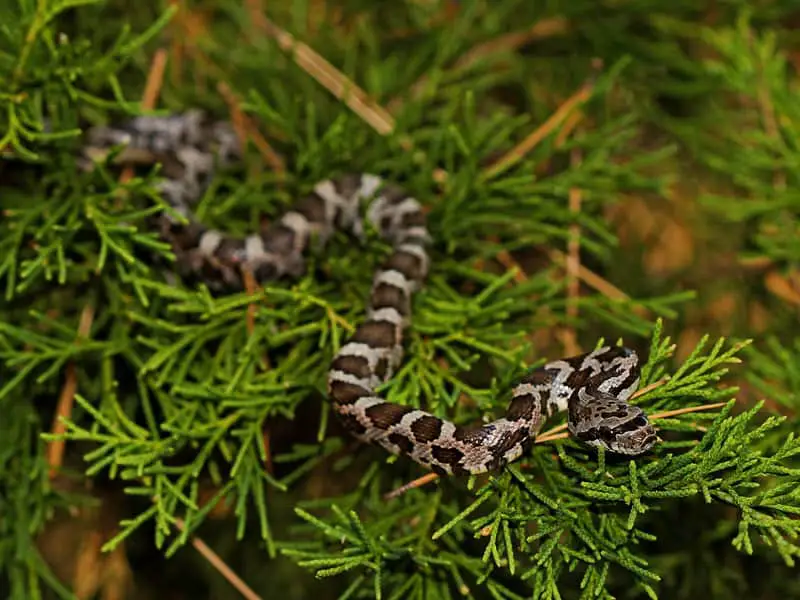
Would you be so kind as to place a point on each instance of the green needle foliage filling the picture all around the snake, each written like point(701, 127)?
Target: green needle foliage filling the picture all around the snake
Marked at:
point(177, 387)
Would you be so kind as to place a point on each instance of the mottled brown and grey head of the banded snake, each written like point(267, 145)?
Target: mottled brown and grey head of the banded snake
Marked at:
point(602, 420)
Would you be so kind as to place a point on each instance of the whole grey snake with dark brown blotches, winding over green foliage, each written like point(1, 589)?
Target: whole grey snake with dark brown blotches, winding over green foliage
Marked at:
point(593, 388)
